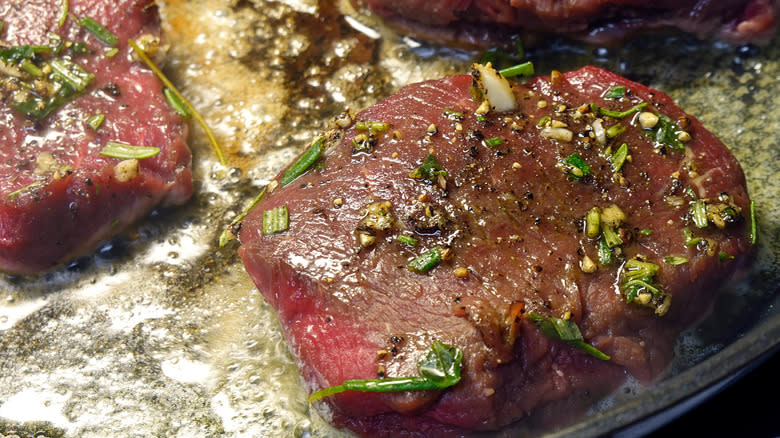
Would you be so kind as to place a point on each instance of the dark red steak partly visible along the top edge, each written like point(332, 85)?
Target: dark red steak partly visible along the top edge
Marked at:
point(594, 21)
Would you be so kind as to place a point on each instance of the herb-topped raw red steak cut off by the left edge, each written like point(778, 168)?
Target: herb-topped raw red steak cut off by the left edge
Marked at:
point(59, 197)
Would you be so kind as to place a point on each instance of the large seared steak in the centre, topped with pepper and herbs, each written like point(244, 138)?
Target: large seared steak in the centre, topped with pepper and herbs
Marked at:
point(508, 200)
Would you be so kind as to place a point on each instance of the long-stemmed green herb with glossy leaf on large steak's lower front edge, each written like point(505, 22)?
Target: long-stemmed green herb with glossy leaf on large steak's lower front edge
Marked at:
point(439, 368)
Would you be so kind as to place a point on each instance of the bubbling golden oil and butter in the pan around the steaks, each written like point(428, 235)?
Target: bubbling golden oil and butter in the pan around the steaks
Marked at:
point(162, 333)
